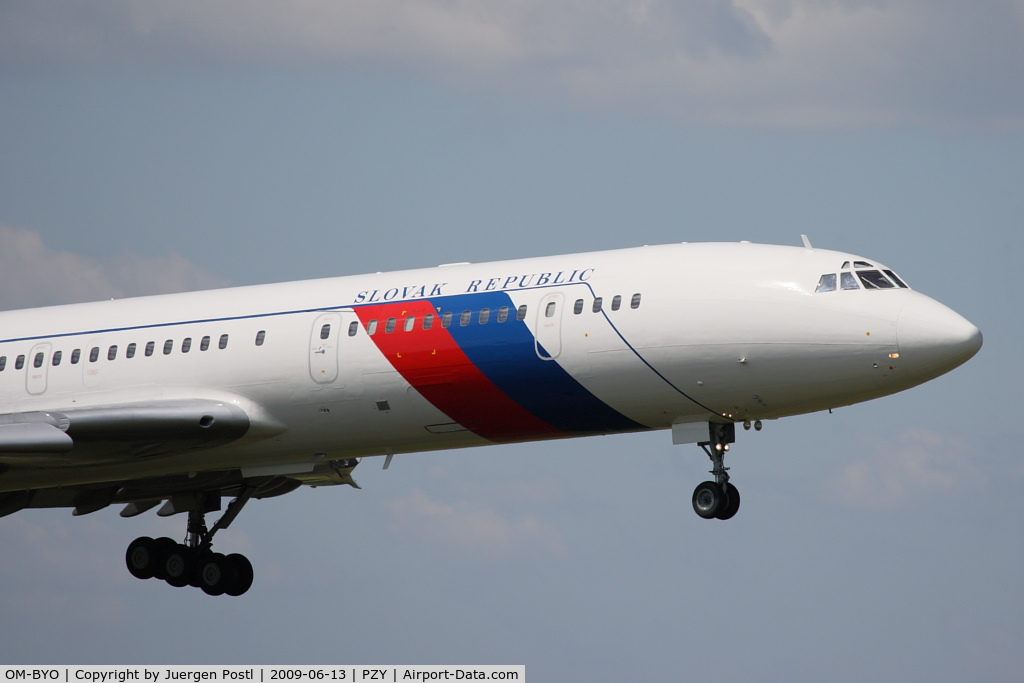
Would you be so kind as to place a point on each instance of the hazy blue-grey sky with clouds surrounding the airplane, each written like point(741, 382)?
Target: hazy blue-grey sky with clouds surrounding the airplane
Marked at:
point(163, 147)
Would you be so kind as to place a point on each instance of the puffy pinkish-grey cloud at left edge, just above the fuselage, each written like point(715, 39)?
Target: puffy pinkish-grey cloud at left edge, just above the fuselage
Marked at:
point(34, 275)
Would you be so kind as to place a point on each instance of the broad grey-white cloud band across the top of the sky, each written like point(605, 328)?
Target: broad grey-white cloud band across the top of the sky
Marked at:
point(765, 63)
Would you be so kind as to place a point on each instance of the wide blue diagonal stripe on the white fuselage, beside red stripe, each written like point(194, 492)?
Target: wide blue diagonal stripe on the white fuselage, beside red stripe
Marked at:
point(505, 353)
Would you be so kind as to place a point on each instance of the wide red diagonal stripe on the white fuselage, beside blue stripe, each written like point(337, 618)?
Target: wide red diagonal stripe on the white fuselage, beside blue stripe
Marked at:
point(434, 364)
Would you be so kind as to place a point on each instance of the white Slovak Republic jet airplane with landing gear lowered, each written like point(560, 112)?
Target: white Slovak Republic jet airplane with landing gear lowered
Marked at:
point(184, 401)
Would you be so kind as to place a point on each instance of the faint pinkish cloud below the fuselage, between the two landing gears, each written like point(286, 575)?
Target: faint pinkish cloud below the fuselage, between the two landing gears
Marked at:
point(472, 528)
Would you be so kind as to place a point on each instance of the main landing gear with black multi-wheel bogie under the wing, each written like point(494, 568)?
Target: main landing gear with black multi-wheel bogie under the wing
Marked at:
point(195, 564)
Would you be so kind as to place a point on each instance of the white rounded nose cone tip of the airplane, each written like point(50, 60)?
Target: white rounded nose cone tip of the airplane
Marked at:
point(934, 339)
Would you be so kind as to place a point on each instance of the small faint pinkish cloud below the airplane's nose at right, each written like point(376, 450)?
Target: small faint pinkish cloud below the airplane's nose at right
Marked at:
point(921, 465)
